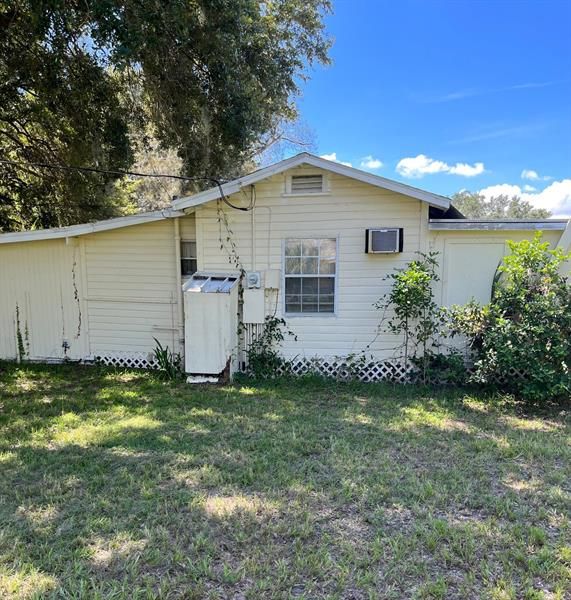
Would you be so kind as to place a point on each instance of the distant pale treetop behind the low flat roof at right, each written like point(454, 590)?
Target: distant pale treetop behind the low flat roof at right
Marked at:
point(476, 206)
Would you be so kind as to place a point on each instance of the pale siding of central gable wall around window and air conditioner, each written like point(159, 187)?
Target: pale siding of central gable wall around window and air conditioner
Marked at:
point(345, 213)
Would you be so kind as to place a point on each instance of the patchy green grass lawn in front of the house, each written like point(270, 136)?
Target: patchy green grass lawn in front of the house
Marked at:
point(116, 485)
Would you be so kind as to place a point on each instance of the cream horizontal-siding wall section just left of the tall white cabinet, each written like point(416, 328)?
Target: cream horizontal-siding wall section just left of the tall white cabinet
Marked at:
point(131, 288)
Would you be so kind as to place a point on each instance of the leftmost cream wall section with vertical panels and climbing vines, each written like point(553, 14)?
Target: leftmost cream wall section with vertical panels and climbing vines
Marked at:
point(44, 279)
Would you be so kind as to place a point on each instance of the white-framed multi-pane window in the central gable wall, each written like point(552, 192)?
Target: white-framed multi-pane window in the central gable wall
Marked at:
point(310, 268)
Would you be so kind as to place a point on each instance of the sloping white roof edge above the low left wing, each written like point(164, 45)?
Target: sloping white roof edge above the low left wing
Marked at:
point(85, 228)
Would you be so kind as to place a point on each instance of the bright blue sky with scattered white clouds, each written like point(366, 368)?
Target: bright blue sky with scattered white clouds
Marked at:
point(450, 95)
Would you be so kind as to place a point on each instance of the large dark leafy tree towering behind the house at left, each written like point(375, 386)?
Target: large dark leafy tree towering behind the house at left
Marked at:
point(212, 77)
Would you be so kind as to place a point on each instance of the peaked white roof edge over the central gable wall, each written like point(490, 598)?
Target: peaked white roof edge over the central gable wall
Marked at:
point(231, 187)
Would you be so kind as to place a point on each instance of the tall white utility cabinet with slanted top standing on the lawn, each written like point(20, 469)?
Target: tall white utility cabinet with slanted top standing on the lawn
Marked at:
point(210, 323)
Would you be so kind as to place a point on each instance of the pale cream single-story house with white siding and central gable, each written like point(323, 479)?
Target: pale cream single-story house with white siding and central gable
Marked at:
point(315, 238)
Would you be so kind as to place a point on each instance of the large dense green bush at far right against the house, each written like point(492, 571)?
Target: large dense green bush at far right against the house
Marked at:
point(521, 341)
